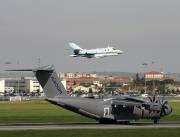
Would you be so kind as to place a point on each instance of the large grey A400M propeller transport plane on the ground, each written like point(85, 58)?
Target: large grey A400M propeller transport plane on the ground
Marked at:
point(118, 109)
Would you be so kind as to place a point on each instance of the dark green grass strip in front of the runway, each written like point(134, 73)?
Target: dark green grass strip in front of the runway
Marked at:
point(94, 133)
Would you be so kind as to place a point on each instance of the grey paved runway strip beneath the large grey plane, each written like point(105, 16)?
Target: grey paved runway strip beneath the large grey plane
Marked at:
point(66, 126)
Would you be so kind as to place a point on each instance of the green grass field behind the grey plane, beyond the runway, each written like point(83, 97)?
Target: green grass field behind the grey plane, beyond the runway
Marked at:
point(44, 112)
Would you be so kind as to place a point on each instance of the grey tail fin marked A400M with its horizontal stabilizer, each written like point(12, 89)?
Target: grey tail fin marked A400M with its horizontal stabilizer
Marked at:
point(49, 81)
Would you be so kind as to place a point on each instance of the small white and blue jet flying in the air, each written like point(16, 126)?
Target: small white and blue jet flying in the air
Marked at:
point(94, 53)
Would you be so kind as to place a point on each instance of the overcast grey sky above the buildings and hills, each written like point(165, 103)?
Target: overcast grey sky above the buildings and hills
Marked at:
point(145, 30)
